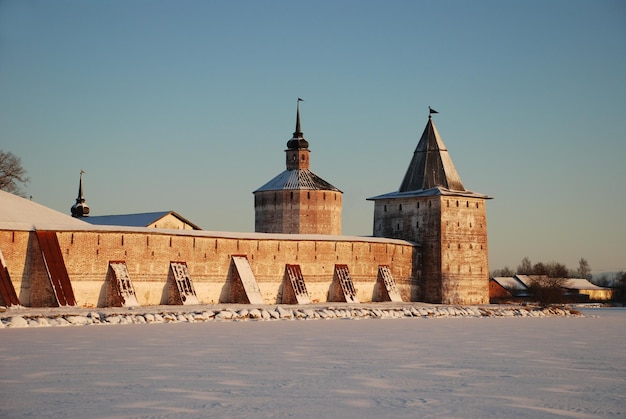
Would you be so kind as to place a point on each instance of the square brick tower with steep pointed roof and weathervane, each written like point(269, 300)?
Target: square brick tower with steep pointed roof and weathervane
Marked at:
point(433, 209)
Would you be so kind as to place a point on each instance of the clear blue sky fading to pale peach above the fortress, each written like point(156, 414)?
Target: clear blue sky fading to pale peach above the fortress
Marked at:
point(188, 105)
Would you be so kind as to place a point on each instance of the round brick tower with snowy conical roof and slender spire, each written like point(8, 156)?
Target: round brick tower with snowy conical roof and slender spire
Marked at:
point(297, 201)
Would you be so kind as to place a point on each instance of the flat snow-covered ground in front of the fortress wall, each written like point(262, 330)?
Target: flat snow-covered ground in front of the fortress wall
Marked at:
point(550, 367)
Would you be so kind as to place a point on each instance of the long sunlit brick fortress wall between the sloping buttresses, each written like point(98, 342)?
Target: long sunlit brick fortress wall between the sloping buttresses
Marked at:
point(148, 254)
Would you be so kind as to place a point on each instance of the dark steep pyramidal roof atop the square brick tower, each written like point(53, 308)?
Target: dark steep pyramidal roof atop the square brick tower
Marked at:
point(431, 165)
